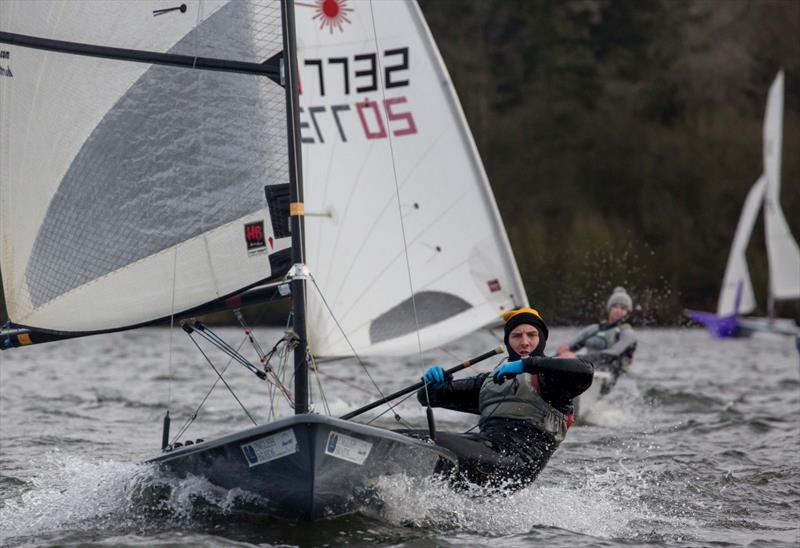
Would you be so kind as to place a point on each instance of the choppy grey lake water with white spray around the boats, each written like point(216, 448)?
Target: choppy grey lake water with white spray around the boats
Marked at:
point(698, 446)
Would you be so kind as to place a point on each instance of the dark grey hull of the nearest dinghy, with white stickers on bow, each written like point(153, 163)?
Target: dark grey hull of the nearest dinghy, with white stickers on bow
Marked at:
point(305, 467)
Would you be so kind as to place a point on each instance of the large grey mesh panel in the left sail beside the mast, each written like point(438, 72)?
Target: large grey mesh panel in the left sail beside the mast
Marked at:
point(180, 153)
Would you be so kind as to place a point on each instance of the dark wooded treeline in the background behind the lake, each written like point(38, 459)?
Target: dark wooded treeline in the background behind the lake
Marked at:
point(621, 138)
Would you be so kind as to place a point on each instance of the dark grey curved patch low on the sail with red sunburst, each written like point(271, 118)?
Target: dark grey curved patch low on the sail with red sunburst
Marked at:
point(432, 307)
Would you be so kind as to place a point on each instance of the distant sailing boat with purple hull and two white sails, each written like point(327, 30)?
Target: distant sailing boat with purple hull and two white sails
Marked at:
point(736, 296)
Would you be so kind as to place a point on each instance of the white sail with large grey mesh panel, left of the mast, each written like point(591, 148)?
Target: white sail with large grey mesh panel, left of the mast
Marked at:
point(126, 188)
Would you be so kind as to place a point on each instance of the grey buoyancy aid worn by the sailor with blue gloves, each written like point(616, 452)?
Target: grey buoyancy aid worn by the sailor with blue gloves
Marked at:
point(517, 399)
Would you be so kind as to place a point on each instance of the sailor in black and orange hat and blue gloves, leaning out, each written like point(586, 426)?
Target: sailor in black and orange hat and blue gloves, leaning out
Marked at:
point(525, 407)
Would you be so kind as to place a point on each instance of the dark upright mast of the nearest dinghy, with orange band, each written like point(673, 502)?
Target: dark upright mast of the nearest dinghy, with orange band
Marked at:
point(296, 209)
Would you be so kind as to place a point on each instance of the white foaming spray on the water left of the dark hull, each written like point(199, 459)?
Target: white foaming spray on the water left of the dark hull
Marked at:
point(70, 491)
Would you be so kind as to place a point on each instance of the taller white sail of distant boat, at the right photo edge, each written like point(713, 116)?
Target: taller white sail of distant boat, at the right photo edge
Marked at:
point(782, 249)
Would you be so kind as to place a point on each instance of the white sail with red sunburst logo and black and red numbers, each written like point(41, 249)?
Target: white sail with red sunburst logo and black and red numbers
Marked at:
point(377, 106)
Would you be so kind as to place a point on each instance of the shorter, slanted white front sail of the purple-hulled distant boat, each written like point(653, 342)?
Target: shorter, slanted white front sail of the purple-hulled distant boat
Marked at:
point(736, 273)
